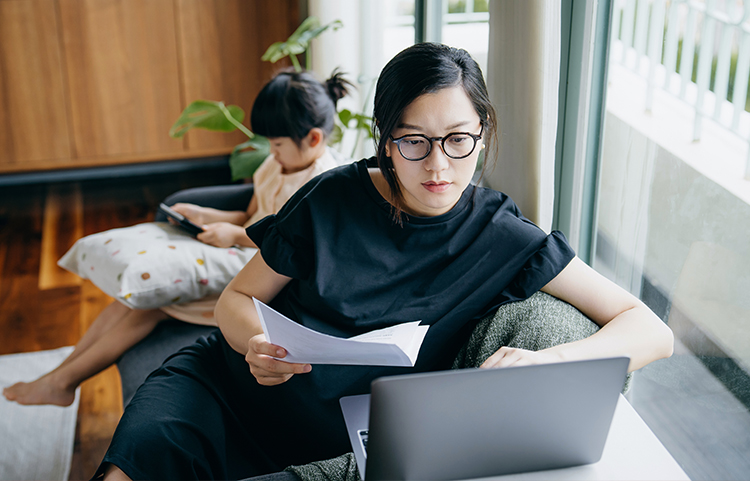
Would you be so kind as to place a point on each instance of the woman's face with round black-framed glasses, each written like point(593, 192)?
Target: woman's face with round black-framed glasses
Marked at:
point(433, 185)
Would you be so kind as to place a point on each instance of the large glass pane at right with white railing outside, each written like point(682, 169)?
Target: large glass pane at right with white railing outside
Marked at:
point(674, 217)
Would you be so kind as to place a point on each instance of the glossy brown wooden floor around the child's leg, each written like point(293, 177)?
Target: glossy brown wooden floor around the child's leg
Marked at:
point(44, 307)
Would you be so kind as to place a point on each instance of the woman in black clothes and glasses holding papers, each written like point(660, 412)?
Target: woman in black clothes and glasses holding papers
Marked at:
point(402, 237)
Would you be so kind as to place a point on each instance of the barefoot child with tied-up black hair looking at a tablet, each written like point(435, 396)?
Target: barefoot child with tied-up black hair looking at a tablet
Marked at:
point(296, 112)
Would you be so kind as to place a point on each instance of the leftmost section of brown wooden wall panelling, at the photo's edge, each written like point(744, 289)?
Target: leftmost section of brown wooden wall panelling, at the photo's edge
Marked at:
point(33, 121)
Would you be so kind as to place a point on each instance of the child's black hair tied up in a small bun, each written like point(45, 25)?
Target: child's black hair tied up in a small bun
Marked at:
point(293, 103)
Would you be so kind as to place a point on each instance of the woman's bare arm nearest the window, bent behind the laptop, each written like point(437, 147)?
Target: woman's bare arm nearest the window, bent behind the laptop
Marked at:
point(628, 327)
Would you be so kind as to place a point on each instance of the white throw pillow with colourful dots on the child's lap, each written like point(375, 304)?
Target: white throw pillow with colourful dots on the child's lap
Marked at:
point(154, 264)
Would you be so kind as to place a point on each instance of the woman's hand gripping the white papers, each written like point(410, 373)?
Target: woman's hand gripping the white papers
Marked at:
point(267, 370)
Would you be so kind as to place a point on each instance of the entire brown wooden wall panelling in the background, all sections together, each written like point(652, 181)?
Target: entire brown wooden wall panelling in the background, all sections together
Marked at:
point(100, 82)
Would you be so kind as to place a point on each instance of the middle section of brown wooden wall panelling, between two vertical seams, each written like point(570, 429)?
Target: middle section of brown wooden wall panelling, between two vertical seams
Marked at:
point(123, 76)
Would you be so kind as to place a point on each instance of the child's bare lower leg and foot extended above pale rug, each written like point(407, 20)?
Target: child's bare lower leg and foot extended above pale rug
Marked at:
point(58, 386)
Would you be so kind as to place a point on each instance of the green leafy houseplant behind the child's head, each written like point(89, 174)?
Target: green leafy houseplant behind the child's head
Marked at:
point(216, 116)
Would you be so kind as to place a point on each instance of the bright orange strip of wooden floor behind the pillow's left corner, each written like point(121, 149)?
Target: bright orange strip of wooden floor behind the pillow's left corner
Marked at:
point(62, 227)
